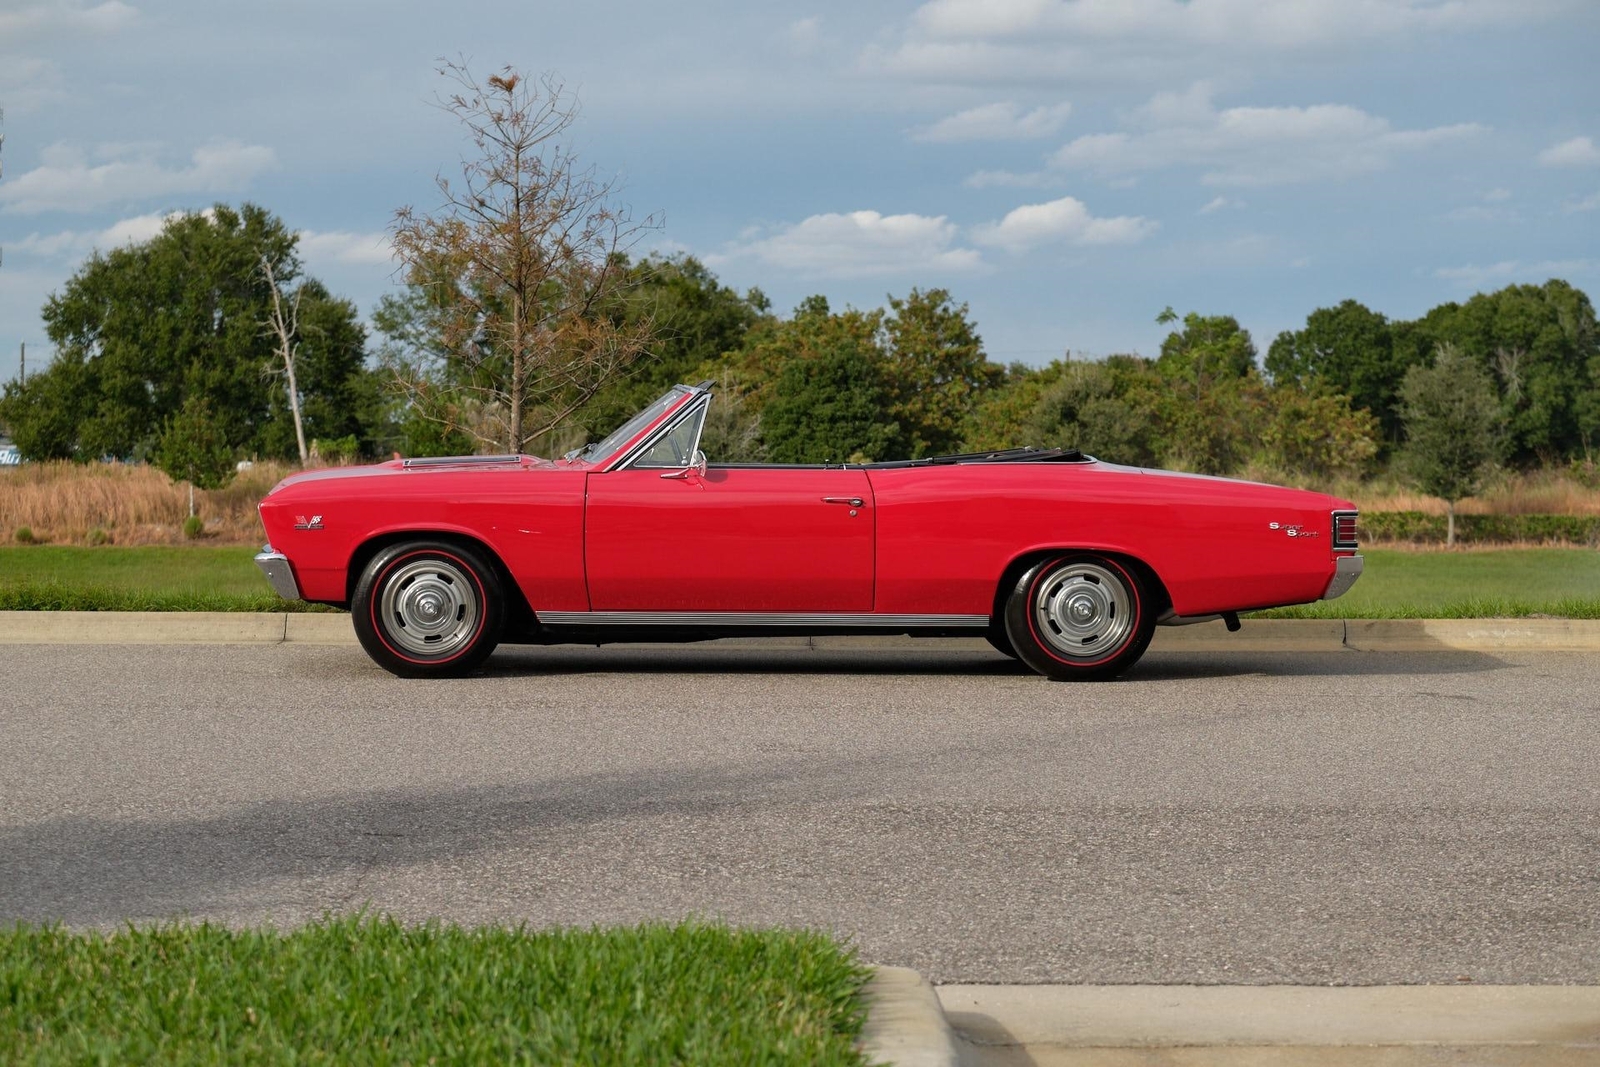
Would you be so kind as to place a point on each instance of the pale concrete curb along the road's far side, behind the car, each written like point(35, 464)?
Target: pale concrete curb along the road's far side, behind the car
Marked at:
point(1258, 636)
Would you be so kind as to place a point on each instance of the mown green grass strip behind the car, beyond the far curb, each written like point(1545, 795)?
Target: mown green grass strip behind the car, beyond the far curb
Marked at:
point(1396, 585)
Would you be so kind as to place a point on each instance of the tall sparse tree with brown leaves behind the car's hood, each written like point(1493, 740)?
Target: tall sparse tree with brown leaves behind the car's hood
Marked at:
point(524, 268)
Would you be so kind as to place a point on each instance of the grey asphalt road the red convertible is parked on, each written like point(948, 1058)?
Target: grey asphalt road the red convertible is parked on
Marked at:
point(1223, 818)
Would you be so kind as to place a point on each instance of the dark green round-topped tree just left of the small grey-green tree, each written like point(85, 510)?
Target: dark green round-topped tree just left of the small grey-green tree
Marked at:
point(1353, 351)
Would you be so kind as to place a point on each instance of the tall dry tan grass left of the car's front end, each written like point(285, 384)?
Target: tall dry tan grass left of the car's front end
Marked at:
point(66, 503)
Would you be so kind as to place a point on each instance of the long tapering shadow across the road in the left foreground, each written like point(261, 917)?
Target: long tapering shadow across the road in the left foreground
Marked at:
point(308, 855)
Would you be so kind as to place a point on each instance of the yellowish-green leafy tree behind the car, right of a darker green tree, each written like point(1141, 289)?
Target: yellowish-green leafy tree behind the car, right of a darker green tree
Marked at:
point(935, 370)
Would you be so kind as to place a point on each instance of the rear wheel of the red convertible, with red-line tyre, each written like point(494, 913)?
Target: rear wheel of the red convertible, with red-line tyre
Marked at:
point(1079, 618)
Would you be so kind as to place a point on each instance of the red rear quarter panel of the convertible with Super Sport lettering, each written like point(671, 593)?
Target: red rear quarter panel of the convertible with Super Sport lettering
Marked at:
point(946, 535)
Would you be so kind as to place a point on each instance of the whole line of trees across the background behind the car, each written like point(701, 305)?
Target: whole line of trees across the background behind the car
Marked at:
point(527, 324)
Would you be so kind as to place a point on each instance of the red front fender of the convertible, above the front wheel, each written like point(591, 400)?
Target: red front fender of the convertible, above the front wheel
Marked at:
point(532, 518)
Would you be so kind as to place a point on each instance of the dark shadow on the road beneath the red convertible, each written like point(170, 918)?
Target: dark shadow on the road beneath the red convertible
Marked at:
point(689, 660)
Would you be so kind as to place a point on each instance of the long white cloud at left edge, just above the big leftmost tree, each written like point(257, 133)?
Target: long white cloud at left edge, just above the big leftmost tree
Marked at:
point(70, 182)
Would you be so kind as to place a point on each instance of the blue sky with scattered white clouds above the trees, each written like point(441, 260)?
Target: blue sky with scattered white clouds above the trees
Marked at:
point(1066, 167)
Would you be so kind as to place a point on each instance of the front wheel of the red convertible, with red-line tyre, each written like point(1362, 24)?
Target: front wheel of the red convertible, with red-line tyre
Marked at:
point(428, 610)
